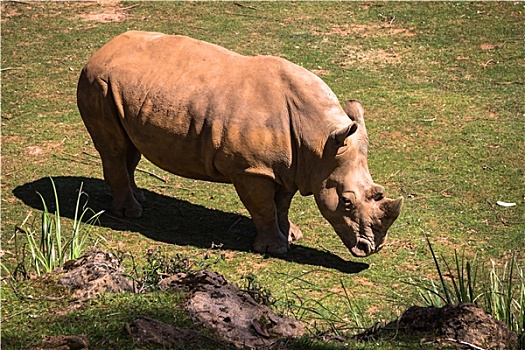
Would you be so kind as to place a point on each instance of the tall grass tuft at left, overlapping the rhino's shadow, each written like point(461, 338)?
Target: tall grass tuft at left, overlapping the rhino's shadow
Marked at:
point(51, 247)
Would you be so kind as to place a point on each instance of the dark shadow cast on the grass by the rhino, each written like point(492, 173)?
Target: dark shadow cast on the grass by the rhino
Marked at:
point(170, 220)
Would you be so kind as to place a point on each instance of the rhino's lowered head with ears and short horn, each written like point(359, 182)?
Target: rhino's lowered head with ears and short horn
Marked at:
point(348, 197)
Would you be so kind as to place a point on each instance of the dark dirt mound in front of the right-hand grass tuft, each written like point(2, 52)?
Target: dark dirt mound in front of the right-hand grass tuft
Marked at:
point(465, 325)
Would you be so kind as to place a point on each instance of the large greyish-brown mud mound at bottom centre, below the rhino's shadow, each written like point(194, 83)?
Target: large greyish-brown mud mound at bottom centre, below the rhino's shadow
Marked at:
point(234, 316)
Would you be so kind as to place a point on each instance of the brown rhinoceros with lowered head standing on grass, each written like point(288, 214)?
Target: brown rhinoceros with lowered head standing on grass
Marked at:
point(262, 123)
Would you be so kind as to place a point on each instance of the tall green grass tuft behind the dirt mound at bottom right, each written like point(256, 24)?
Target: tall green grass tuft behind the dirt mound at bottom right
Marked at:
point(500, 291)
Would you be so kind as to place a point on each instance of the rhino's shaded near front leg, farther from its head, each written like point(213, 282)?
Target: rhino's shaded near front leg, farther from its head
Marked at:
point(257, 194)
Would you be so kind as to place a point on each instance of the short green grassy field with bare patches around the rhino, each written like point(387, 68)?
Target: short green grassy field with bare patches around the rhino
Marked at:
point(443, 89)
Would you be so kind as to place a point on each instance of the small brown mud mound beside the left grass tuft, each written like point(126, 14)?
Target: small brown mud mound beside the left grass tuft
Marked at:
point(95, 272)
